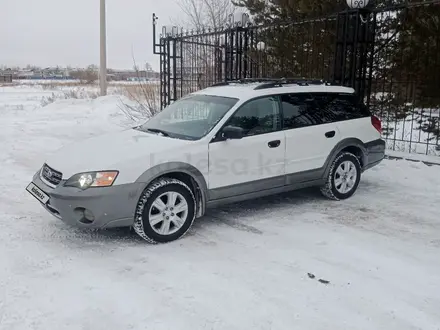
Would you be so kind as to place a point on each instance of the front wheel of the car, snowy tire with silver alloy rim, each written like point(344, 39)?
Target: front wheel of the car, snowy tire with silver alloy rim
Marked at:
point(165, 211)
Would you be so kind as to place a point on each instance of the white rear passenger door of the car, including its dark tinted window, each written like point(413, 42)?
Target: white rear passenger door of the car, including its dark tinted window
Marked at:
point(309, 136)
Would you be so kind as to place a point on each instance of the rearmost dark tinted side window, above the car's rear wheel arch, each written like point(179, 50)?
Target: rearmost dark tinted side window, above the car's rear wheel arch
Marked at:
point(339, 107)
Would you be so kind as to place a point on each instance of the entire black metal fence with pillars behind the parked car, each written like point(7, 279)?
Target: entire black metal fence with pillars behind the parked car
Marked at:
point(389, 54)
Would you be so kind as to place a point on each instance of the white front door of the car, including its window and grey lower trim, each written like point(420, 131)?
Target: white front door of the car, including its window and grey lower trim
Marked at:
point(255, 162)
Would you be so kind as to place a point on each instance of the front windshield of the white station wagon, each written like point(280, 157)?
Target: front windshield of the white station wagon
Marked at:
point(191, 117)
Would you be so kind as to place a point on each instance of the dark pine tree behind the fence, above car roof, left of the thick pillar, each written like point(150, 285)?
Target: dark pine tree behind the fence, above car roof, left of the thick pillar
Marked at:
point(293, 47)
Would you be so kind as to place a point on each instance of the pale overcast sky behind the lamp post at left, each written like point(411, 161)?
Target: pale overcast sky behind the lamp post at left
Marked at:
point(63, 32)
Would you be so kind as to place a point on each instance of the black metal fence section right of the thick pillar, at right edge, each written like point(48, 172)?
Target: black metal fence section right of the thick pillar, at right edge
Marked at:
point(405, 90)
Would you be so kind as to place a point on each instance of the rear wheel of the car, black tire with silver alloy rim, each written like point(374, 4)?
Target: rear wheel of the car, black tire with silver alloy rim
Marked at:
point(343, 178)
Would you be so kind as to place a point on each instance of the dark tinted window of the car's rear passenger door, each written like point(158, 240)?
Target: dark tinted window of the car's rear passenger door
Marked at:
point(299, 110)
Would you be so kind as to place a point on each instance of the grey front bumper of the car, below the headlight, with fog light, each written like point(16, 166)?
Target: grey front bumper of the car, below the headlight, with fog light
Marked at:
point(111, 206)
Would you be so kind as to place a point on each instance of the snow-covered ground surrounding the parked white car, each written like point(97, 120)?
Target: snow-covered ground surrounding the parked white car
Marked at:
point(243, 266)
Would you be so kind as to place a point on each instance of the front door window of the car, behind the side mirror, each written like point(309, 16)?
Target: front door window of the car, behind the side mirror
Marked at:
point(258, 116)
